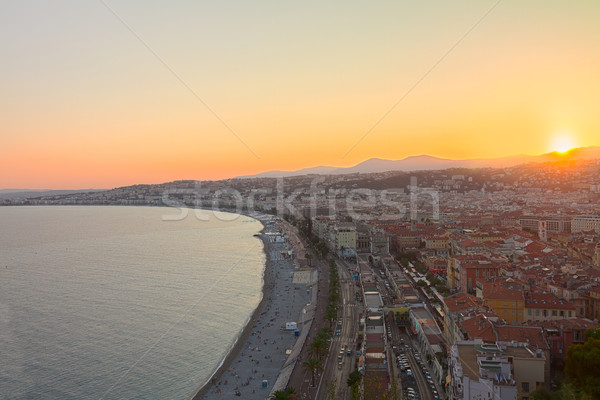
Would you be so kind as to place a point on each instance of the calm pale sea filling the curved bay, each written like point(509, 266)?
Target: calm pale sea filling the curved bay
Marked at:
point(117, 303)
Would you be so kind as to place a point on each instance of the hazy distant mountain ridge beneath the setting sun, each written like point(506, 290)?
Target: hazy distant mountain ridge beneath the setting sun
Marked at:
point(426, 163)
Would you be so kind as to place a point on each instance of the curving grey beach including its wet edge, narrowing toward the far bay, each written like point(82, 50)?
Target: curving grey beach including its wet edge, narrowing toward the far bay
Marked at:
point(262, 340)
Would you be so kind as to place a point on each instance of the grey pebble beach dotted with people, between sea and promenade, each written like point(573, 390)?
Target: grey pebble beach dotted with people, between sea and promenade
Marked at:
point(264, 349)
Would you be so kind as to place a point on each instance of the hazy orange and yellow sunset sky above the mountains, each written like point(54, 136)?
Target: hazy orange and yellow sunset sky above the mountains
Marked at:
point(110, 93)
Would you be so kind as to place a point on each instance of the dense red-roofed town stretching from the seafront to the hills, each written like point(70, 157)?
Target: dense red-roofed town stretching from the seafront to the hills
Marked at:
point(471, 284)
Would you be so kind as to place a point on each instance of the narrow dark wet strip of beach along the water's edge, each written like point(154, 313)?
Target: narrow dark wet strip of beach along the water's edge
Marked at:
point(246, 332)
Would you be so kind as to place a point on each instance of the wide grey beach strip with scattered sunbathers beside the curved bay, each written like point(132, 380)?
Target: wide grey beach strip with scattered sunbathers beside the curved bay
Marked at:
point(259, 353)
